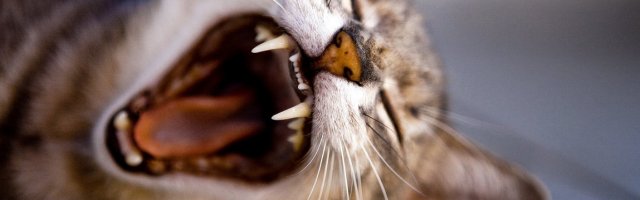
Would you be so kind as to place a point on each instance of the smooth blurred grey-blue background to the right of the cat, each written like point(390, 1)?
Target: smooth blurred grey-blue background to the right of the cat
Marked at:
point(552, 85)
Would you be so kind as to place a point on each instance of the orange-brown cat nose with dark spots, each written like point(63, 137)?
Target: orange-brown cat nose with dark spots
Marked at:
point(341, 58)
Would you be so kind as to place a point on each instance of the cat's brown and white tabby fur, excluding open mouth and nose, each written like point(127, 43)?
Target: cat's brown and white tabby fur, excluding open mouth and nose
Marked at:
point(65, 65)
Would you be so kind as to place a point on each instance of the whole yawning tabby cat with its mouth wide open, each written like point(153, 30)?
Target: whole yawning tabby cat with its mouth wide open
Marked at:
point(244, 99)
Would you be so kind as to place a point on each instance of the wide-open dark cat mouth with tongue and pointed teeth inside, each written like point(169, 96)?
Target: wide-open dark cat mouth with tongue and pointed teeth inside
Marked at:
point(211, 113)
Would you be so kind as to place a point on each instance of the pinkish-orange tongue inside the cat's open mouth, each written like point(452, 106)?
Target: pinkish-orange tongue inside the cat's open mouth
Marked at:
point(194, 126)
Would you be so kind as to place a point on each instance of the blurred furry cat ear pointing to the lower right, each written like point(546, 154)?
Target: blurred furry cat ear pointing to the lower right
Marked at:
point(453, 169)
